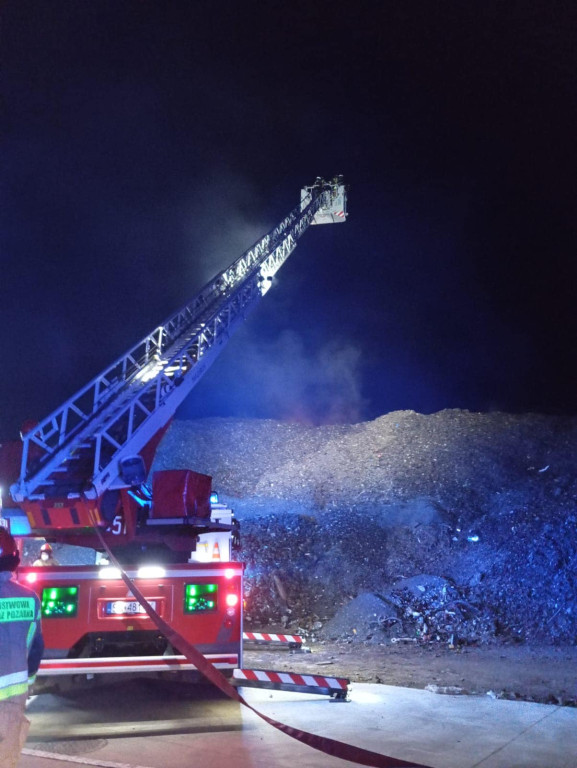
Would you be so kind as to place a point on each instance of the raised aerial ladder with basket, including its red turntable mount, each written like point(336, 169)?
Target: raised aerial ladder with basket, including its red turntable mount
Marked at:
point(86, 464)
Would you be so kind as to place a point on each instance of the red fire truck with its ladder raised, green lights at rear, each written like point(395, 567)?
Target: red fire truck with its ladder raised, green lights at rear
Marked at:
point(84, 480)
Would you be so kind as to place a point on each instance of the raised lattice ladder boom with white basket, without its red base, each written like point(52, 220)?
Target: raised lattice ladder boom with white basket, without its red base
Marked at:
point(92, 443)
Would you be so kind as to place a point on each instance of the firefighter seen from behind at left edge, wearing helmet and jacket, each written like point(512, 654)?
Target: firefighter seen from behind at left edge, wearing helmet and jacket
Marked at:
point(21, 648)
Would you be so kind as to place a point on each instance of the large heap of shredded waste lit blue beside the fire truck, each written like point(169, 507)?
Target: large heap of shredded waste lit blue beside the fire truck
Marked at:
point(454, 527)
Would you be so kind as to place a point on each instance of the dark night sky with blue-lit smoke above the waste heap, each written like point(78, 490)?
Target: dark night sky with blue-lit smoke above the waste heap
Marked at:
point(145, 145)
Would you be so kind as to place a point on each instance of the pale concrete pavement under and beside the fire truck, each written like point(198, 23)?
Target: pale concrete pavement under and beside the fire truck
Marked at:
point(121, 729)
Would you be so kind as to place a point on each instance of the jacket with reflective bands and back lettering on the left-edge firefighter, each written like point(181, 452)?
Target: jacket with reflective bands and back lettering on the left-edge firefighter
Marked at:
point(21, 644)
